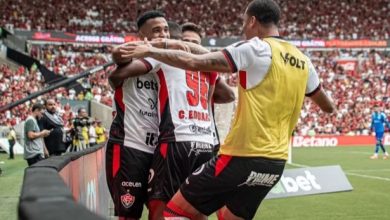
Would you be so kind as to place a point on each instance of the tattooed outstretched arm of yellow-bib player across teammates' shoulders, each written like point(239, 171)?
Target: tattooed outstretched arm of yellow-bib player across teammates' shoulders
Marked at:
point(214, 61)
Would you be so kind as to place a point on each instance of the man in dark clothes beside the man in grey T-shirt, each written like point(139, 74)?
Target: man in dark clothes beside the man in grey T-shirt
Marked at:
point(55, 142)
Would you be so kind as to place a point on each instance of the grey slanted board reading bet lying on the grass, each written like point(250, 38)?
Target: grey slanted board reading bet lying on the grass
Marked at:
point(311, 180)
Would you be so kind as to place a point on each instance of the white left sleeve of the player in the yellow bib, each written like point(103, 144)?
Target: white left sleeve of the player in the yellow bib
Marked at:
point(243, 54)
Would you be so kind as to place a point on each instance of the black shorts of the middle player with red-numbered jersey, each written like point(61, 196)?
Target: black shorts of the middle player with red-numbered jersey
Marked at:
point(172, 164)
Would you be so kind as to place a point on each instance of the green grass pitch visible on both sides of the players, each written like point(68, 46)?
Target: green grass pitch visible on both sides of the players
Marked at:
point(369, 200)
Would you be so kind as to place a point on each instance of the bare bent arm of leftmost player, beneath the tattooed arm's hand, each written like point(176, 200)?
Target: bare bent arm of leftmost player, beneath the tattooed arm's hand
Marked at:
point(134, 68)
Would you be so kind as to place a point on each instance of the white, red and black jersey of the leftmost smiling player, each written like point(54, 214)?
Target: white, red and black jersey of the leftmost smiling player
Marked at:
point(136, 121)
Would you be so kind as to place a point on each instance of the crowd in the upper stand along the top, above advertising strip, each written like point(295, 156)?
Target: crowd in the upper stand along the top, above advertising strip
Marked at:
point(344, 19)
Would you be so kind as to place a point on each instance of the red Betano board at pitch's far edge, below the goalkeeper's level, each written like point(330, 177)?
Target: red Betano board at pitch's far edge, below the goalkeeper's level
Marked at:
point(336, 141)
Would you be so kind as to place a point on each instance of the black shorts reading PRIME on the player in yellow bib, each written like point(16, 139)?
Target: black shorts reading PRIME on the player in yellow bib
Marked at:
point(240, 183)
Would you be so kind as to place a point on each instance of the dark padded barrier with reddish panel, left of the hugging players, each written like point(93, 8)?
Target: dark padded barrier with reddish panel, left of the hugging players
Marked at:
point(72, 186)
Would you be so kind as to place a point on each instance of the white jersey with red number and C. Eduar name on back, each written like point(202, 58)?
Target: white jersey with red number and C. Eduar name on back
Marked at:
point(183, 104)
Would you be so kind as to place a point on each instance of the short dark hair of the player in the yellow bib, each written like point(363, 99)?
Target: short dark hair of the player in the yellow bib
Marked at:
point(266, 11)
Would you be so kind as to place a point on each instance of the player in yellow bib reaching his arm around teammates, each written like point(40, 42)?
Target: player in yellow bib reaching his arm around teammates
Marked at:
point(274, 78)
